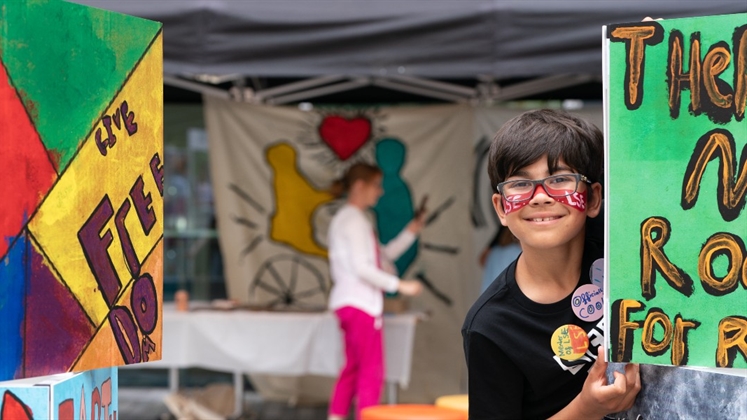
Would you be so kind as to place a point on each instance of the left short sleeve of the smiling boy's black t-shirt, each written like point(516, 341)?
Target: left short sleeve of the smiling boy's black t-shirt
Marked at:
point(495, 384)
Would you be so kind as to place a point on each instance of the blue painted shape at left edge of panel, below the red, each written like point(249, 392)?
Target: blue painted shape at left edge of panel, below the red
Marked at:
point(12, 297)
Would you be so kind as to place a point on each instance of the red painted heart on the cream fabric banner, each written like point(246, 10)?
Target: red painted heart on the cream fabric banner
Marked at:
point(344, 136)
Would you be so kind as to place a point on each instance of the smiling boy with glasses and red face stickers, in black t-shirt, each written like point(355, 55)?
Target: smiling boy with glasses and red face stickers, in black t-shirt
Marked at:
point(546, 166)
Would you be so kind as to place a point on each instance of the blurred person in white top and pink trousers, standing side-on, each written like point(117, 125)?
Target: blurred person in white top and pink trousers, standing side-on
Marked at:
point(359, 283)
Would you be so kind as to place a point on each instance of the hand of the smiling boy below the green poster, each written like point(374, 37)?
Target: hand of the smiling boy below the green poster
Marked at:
point(602, 398)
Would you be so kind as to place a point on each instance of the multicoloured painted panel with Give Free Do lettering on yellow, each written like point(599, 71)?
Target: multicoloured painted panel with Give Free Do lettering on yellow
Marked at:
point(81, 176)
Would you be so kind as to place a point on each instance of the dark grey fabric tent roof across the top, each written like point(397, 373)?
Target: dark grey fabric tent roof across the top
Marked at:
point(425, 38)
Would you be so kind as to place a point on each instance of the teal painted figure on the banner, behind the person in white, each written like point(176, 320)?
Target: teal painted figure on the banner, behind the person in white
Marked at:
point(395, 208)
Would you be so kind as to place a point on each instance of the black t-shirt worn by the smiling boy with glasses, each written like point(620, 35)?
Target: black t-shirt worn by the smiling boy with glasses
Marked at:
point(513, 372)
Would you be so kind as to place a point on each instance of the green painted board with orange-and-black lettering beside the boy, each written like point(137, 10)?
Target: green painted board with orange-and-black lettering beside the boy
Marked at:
point(676, 262)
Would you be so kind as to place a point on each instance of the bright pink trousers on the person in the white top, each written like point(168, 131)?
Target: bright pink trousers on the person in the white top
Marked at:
point(363, 373)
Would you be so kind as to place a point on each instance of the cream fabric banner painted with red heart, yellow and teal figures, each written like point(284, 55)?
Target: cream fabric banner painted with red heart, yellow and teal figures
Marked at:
point(271, 168)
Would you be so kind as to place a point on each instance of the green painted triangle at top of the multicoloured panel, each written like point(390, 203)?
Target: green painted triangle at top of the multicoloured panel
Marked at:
point(67, 62)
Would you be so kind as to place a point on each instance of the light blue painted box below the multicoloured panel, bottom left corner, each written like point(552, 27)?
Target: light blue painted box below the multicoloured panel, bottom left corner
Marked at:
point(87, 395)
